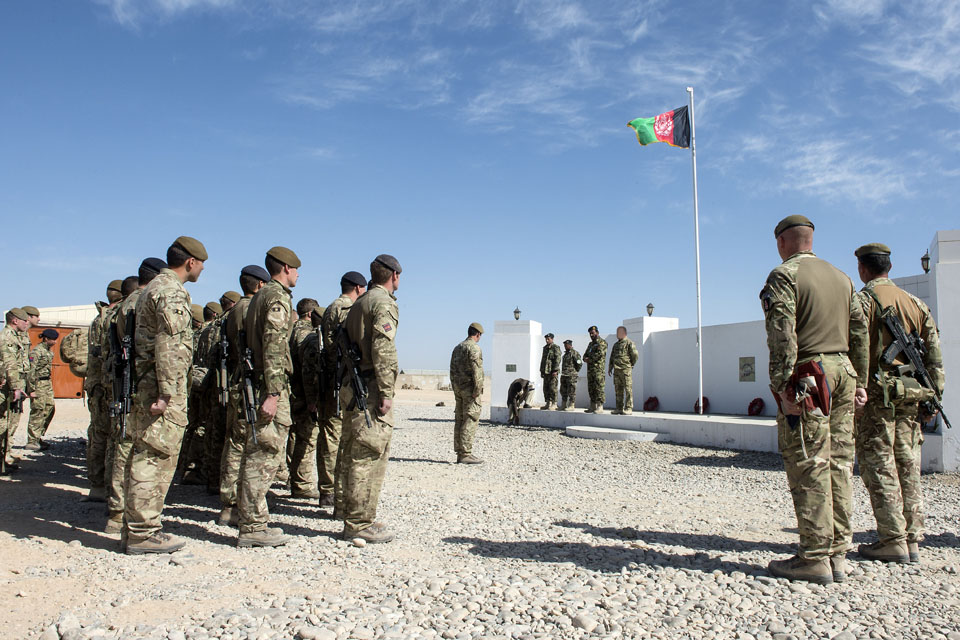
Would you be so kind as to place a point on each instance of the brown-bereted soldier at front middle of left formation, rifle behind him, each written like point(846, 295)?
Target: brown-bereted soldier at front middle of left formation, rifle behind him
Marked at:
point(268, 325)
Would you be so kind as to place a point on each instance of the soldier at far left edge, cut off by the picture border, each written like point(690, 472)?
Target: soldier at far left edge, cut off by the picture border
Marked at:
point(13, 378)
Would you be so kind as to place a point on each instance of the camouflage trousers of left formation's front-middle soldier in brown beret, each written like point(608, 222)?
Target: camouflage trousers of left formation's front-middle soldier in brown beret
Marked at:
point(262, 457)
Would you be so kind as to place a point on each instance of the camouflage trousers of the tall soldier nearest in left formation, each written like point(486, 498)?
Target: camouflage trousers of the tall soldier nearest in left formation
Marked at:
point(150, 468)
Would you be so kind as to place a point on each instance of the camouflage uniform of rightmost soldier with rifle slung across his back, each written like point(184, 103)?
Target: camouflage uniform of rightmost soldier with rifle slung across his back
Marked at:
point(888, 432)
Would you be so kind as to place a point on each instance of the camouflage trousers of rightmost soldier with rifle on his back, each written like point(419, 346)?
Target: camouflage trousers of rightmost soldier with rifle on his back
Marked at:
point(888, 448)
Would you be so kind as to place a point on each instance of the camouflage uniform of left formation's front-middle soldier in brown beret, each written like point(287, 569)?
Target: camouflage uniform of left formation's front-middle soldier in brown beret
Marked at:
point(268, 324)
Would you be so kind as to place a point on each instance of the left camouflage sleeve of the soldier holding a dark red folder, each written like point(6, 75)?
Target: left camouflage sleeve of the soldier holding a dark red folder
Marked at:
point(779, 301)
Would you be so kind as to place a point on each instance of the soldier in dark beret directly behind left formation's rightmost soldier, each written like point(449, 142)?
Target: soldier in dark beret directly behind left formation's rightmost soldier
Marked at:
point(329, 450)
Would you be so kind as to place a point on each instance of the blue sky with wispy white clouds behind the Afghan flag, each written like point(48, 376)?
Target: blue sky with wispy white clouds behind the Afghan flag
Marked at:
point(482, 143)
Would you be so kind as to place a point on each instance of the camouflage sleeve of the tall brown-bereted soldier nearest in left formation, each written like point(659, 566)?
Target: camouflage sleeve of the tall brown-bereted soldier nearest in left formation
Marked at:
point(173, 350)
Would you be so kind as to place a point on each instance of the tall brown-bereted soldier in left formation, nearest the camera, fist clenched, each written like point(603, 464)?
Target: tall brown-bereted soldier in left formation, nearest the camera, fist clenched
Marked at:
point(164, 352)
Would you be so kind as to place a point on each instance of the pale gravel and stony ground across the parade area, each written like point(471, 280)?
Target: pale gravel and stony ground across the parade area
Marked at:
point(552, 538)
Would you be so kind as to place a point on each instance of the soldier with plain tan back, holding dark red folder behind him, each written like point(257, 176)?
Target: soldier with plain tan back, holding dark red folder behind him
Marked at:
point(814, 320)
